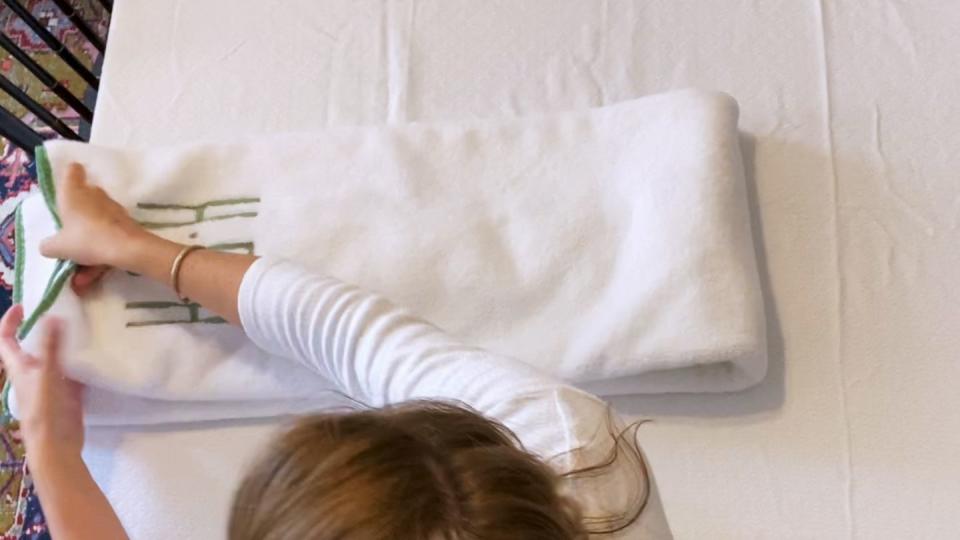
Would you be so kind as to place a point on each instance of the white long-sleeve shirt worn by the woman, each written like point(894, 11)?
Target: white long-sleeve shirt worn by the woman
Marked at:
point(379, 354)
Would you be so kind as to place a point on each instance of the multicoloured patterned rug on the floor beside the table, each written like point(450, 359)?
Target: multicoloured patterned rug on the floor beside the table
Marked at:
point(20, 513)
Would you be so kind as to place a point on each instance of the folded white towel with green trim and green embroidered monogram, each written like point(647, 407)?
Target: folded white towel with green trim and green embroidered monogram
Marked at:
point(609, 246)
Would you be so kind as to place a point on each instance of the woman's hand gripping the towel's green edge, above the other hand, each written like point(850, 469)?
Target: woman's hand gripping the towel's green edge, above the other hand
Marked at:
point(97, 232)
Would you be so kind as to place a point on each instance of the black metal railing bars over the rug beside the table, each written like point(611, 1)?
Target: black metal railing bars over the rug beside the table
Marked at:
point(15, 129)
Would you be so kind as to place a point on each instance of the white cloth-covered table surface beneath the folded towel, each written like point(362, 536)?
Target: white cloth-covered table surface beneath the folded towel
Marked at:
point(851, 113)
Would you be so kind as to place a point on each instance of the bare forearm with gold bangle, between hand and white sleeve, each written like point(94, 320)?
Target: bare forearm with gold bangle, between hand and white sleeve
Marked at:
point(209, 278)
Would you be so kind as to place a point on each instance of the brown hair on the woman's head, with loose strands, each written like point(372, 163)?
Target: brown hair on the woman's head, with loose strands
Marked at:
point(418, 471)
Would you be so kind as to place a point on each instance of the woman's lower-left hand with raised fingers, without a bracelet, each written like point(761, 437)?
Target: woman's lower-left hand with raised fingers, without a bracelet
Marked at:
point(49, 405)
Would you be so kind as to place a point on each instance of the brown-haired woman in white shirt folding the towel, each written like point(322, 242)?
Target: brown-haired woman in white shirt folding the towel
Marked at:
point(437, 458)
